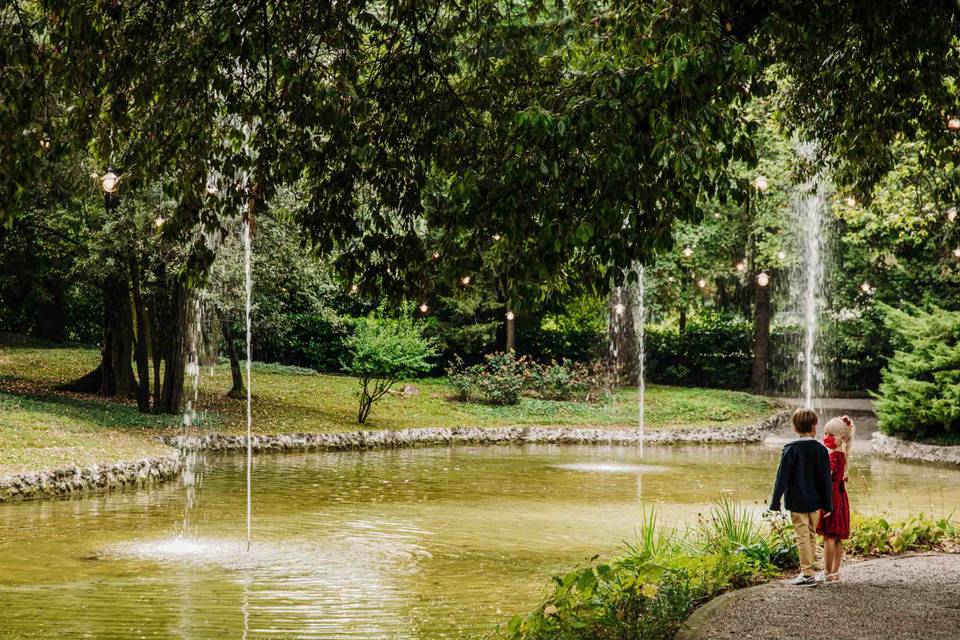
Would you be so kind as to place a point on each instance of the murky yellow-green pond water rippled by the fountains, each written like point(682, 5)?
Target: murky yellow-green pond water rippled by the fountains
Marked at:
point(416, 543)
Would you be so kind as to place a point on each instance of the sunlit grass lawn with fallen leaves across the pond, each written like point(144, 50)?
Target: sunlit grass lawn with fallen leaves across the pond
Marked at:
point(39, 426)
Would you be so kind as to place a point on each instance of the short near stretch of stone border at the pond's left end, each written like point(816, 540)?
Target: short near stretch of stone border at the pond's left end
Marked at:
point(73, 480)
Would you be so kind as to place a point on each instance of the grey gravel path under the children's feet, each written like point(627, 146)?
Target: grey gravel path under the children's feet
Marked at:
point(903, 598)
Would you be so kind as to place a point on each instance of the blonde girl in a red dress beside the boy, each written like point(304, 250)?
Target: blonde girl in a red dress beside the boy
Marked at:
point(835, 527)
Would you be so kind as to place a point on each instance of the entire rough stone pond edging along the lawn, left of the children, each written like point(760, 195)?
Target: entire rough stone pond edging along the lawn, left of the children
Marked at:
point(74, 480)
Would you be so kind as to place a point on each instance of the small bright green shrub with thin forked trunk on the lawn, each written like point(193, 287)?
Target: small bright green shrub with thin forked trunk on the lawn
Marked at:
point(382, 352)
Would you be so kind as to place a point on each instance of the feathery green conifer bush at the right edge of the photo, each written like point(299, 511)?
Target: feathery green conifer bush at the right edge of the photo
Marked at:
point(920, 392)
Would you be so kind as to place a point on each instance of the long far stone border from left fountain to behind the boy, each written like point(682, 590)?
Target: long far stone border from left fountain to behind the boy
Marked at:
point(386, 439)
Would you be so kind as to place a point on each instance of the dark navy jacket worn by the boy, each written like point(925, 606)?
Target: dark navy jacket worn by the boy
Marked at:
point(804, 476)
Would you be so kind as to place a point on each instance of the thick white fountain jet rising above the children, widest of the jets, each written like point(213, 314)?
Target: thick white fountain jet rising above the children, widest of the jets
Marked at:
point(808, 281)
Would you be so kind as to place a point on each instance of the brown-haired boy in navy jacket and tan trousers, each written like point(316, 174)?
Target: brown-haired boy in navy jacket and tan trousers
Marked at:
point(804, 475)
